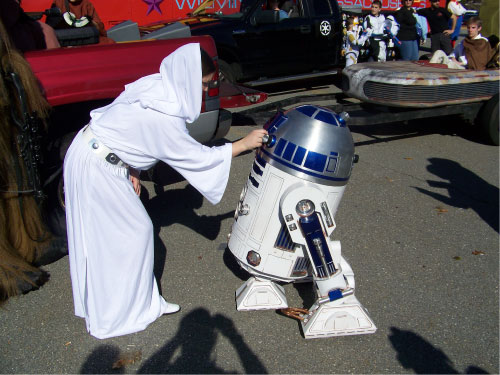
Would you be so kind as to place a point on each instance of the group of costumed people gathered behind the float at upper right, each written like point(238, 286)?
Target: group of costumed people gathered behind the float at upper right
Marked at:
point(399, 36)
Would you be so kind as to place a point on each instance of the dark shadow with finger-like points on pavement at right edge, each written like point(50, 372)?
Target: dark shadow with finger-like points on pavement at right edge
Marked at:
point(465, 190)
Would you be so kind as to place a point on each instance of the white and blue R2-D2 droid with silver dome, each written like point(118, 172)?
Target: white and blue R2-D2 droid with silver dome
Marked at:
point(284, 222)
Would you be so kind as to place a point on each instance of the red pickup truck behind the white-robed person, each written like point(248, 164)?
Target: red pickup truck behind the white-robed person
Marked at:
point(99, 72)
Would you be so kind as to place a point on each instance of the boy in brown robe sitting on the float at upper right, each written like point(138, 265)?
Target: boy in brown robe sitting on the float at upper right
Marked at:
point(473, 52)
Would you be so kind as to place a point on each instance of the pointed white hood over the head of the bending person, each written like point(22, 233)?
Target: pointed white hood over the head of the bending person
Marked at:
point(177, 89)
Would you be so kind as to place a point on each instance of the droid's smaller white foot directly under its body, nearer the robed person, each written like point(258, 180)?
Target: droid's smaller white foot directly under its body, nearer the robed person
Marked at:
point(260, 294)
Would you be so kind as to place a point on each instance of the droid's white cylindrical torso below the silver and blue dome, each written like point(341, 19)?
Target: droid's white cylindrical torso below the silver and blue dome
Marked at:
point(263, 228)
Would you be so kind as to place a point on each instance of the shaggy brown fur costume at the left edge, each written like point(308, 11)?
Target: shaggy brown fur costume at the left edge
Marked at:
point(23, 236)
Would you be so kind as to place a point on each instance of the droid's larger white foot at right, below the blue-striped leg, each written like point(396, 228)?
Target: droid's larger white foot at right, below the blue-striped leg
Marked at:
point(342, 317)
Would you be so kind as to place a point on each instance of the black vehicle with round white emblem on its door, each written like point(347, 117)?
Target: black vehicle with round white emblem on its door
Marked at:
point(257, 47)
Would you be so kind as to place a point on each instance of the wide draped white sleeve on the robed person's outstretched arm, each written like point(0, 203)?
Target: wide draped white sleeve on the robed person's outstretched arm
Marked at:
point(205, 168)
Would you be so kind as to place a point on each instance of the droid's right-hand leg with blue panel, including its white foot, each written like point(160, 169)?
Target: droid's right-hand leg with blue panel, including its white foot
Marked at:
point(337, 312)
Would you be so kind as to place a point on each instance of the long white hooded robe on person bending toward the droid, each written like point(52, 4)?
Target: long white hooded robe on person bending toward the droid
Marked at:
point(110, 235)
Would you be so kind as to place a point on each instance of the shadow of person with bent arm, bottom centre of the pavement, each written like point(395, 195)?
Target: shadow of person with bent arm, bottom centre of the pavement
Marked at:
point(191, 350)
